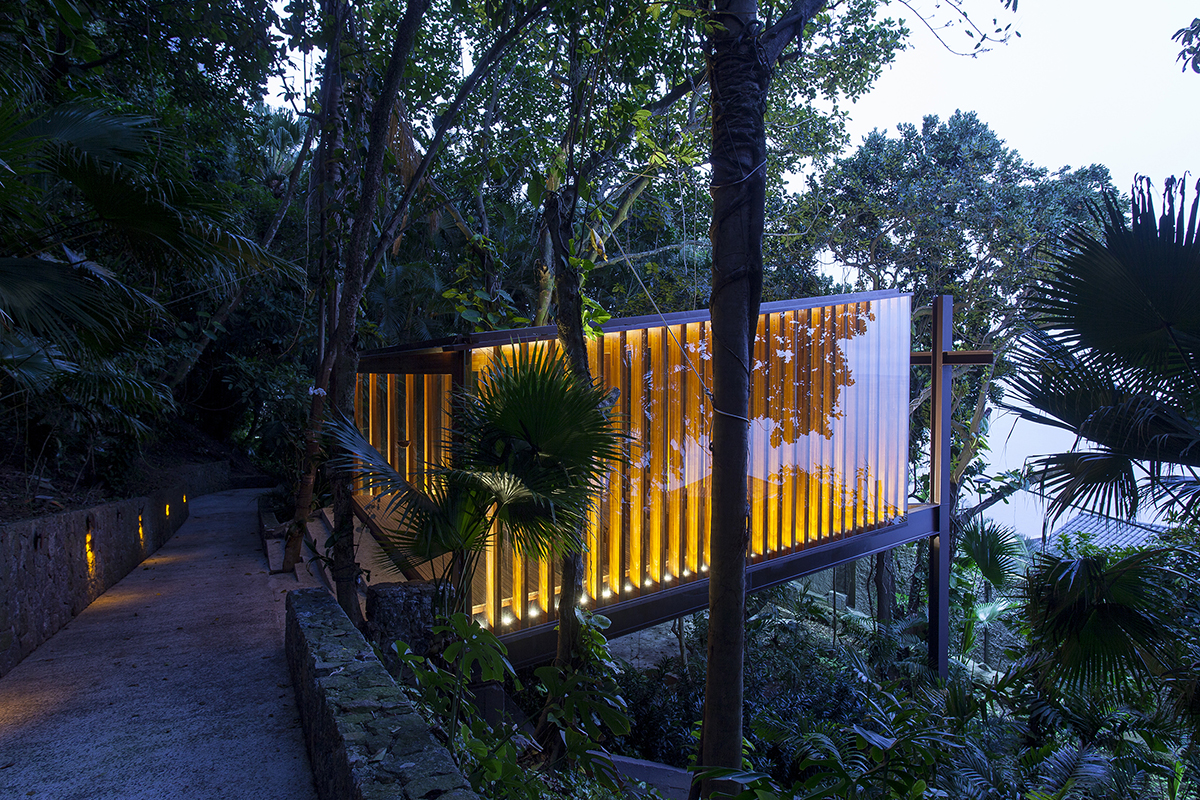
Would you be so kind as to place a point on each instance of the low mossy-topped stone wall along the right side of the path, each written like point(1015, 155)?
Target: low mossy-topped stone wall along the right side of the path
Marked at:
point(365, 739)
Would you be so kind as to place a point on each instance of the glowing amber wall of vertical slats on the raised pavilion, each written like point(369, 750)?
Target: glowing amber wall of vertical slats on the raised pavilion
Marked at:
point(830, 442)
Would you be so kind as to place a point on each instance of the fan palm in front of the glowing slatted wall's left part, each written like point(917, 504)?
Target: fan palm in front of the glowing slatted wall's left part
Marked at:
point(530, 447)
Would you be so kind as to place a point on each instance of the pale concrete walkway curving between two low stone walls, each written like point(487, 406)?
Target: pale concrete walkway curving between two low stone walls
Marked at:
point(173, 684)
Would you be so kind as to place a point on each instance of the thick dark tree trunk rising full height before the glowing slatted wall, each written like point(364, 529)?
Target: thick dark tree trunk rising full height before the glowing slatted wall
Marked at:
point(740, 81)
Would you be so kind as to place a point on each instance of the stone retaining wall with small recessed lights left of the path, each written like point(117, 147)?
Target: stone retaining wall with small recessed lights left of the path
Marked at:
point(52, 568)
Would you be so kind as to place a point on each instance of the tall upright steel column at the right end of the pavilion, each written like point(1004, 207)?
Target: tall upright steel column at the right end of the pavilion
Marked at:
point(940, 488)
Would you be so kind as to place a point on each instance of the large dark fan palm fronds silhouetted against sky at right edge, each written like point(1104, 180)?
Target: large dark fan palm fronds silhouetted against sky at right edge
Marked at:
point(1115, 360)
